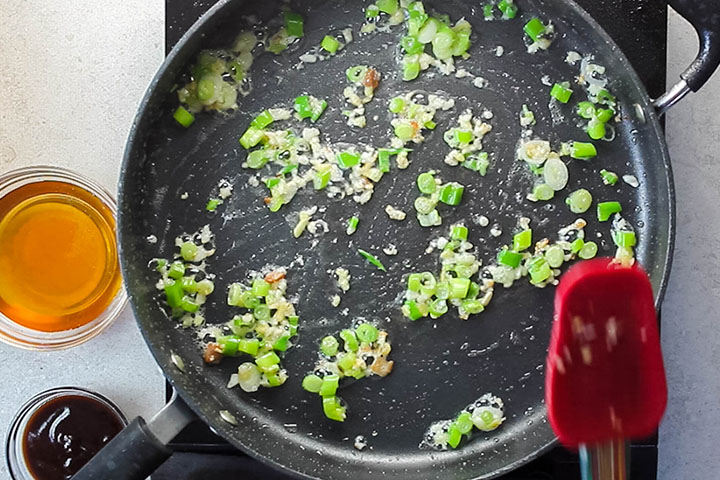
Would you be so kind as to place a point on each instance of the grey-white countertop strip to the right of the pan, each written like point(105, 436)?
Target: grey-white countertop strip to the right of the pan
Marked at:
point(689, 436)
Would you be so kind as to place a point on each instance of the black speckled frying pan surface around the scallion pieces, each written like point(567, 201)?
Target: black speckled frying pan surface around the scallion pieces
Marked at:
point(440, 365)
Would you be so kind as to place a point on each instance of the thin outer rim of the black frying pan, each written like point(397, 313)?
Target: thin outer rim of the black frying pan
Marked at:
point(135, 136)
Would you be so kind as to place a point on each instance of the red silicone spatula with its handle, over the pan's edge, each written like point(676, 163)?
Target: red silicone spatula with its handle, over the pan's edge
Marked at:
point(605, 378)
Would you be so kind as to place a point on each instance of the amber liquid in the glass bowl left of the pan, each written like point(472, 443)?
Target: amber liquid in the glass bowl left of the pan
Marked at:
point(58, 256)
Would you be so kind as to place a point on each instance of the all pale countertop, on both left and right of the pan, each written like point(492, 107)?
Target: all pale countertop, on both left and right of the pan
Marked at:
point(71, 76)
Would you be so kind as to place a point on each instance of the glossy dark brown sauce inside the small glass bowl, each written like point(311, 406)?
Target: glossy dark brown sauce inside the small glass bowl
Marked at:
point(64, 433)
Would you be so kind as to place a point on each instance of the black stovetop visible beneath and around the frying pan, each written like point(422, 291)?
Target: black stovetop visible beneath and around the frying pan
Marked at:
point(640, 29)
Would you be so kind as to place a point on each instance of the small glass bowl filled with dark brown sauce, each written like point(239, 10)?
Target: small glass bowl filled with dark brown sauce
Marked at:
point(58, 431)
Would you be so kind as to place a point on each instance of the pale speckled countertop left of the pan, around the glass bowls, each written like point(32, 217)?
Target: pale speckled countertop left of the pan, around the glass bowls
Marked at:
point(72, 73)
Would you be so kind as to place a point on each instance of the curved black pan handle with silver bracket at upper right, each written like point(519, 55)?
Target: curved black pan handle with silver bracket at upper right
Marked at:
point(704, 15)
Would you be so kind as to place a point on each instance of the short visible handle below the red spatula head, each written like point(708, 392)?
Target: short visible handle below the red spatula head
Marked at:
point(606, 461)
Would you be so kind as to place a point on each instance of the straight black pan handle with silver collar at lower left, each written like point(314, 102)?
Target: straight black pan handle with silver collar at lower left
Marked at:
point(140, 448)
